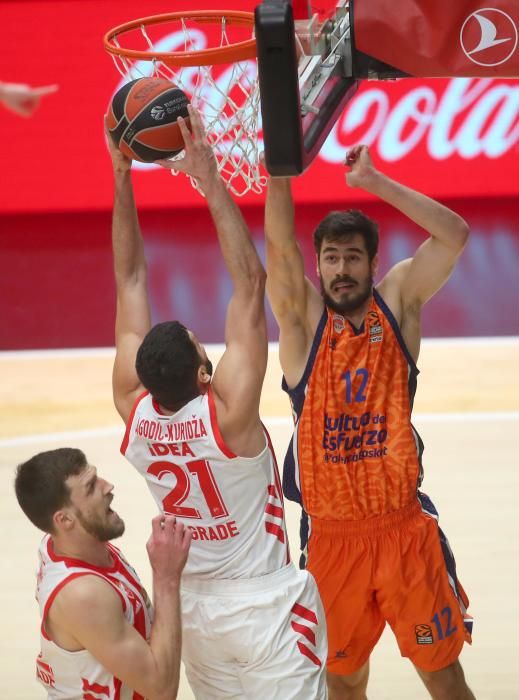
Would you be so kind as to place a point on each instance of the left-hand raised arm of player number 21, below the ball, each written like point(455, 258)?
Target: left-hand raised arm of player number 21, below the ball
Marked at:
point(133, 319)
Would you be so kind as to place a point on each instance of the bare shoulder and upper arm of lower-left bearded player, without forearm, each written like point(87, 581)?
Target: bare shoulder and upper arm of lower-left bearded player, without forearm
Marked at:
point(90, 610)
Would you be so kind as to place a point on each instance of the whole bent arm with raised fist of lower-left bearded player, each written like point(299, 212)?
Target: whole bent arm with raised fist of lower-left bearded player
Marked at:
point(89, 611)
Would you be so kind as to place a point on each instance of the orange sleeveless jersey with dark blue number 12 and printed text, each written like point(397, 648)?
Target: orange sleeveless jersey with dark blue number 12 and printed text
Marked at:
point(354, 453)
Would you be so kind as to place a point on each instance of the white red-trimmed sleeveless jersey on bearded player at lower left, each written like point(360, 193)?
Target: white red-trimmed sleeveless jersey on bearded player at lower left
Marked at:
point(68, 675)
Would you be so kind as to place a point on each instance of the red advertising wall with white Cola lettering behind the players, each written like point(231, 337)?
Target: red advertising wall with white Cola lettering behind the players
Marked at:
point(455, 140)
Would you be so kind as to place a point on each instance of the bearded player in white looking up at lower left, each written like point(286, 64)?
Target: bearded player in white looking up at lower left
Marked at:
point(97, 637)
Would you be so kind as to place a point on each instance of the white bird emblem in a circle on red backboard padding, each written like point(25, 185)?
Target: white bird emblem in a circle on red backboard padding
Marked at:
point(489, 37)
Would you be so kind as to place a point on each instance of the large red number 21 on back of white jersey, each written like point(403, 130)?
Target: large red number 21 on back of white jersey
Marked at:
point(199, 468)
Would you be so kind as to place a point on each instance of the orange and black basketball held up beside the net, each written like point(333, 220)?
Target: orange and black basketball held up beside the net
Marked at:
point(142, 119)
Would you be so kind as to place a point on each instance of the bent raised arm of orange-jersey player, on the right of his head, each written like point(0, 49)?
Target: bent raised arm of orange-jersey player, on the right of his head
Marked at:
point(420, 278)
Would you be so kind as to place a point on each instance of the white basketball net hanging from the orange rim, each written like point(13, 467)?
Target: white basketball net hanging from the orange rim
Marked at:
point(228, 101)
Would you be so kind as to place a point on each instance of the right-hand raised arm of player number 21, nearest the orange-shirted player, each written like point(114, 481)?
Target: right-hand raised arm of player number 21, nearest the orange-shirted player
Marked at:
point(239, 377)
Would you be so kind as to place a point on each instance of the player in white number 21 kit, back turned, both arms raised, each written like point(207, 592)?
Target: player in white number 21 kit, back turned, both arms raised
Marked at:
point(253, 625)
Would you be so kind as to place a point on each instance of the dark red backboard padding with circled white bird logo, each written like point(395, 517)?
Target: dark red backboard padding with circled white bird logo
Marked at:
point(441, 38)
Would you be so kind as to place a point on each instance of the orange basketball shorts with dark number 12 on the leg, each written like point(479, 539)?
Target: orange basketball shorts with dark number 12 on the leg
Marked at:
point(397, 568)
